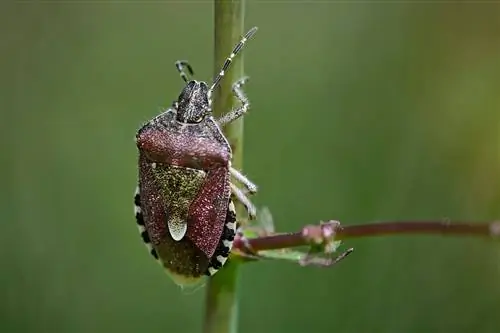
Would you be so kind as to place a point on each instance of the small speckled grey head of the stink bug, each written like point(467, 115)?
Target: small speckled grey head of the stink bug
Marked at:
point(193, 104)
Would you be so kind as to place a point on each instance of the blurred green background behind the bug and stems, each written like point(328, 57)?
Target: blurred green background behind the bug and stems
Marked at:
point(360, 112)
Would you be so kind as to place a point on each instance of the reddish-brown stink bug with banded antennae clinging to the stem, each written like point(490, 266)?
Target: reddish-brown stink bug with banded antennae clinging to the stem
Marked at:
point(183, 204)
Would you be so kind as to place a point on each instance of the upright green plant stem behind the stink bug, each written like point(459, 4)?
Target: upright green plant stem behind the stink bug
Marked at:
point(221, 312)
